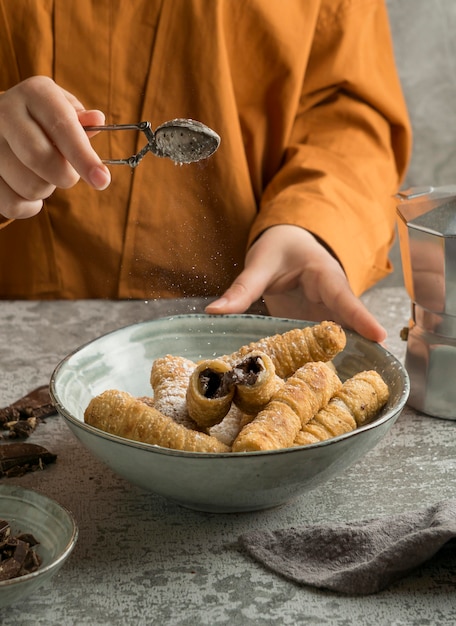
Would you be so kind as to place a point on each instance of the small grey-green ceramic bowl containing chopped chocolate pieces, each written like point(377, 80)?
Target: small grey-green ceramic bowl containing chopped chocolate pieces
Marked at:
point(52, 526)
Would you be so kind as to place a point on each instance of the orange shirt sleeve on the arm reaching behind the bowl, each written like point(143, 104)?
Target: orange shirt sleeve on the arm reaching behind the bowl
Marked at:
point(349, 146)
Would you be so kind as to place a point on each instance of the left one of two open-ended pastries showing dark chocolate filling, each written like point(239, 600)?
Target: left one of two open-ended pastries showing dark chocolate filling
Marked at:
point(210, 392)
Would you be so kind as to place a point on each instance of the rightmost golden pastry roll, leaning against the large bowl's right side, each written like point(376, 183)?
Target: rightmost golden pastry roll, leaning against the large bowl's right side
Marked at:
point(357, 402)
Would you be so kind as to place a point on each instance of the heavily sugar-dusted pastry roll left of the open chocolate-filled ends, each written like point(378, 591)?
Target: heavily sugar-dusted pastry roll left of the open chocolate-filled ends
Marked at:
point(169, 378)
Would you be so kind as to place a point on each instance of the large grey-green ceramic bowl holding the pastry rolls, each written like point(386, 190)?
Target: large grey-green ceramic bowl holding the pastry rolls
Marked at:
point(231, 482)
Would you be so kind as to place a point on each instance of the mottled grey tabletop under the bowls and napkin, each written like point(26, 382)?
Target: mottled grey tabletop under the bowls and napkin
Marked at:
point(143, 560)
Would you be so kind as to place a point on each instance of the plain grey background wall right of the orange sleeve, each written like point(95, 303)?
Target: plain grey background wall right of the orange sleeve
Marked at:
point(424, 34)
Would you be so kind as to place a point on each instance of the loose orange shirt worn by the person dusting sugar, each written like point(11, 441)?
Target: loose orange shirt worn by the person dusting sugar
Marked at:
point(304, 95)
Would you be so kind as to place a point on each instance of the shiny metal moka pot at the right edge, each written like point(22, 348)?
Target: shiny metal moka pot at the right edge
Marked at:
point(426, 220)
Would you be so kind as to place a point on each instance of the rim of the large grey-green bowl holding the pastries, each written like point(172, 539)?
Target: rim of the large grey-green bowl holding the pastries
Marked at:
point(389, 414)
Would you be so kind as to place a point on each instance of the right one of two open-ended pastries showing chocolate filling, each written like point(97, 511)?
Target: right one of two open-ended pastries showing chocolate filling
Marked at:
point(256, 381)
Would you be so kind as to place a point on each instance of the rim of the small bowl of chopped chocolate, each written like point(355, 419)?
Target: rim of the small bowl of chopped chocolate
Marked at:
point(8, 490)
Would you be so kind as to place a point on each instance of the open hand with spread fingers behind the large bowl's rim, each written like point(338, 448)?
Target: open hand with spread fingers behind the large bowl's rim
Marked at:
point(299, 279)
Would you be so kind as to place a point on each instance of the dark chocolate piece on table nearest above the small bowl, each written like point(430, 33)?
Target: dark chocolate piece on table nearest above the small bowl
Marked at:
point(16, 459)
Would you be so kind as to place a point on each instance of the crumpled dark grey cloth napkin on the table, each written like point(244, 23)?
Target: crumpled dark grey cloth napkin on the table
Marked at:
point(355, 558)
